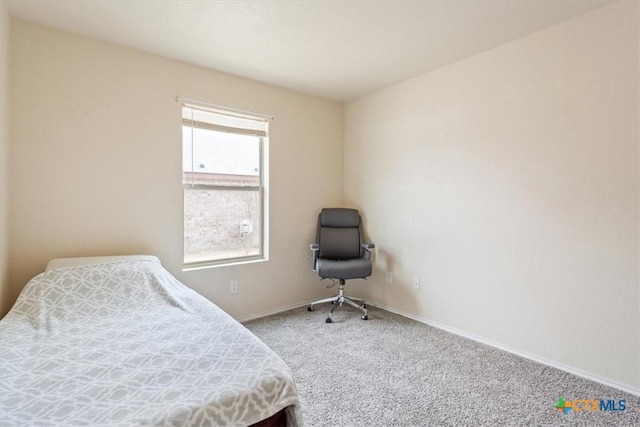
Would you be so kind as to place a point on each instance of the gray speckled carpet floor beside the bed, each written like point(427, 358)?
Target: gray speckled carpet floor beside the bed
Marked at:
point(394, 371)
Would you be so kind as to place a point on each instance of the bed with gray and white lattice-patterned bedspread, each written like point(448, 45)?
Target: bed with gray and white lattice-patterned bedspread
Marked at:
point(121, 342)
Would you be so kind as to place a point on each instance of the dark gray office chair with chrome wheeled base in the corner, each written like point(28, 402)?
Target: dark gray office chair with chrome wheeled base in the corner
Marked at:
point(340, 253)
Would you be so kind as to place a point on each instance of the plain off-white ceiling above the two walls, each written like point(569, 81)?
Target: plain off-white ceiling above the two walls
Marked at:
point(339, 50)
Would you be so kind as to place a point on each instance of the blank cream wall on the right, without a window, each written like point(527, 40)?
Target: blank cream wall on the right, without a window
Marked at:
point(508, 183)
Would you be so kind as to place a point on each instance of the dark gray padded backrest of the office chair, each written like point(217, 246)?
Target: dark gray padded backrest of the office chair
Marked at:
point(339, 235)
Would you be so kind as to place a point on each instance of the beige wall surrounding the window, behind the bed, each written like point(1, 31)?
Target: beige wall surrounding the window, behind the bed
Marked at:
point(96, 164)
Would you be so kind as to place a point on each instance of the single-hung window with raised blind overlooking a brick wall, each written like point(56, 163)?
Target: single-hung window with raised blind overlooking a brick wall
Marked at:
point(224, 179)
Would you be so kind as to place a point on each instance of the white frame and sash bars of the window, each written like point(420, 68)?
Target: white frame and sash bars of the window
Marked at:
point(239, 122)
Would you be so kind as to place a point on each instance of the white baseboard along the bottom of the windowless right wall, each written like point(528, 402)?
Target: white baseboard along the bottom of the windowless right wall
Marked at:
point(583, 374)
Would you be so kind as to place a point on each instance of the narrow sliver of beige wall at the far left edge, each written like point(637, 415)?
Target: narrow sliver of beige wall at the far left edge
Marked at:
point(5, 303)
